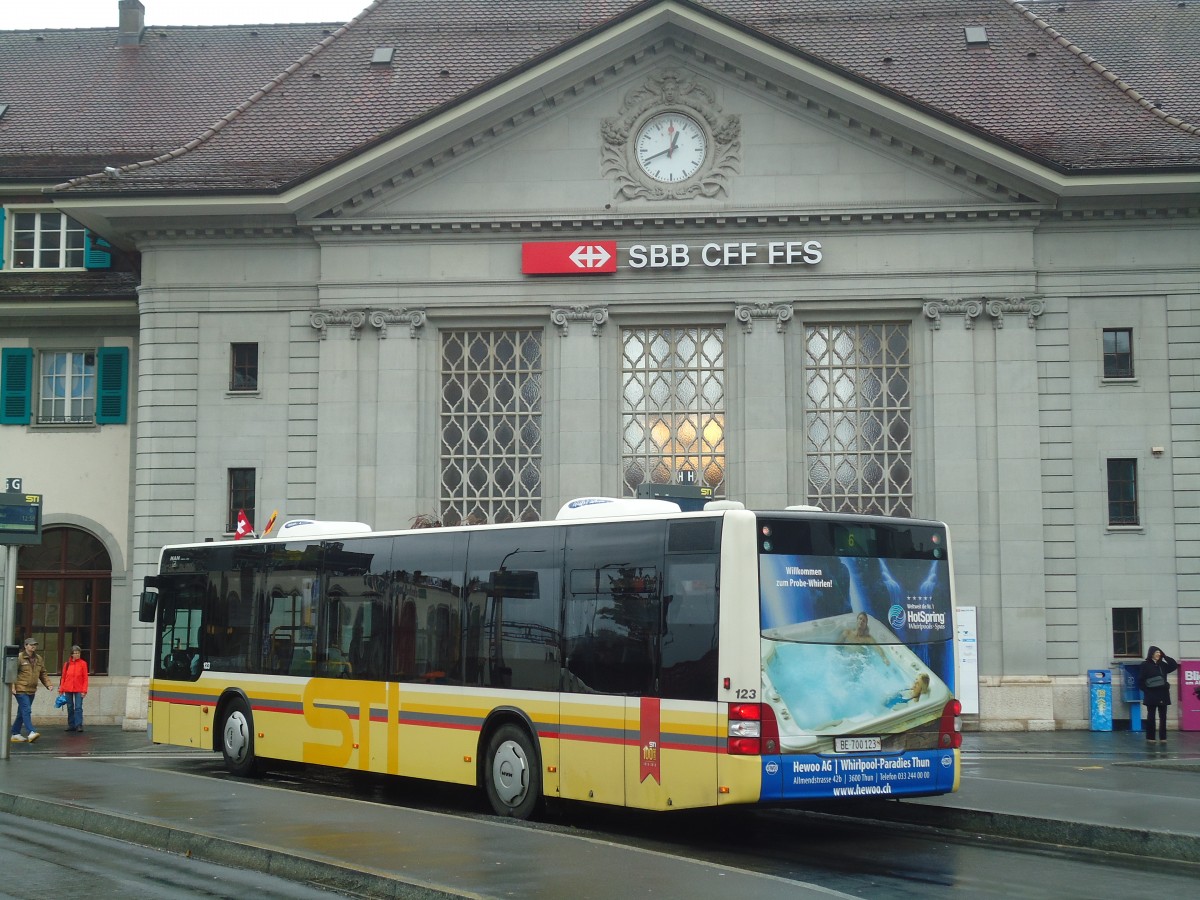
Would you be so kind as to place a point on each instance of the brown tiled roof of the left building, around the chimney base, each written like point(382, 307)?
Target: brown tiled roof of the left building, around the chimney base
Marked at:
point(79, 103)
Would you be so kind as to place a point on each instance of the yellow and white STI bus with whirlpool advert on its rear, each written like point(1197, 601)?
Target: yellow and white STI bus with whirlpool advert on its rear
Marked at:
point(626, 653)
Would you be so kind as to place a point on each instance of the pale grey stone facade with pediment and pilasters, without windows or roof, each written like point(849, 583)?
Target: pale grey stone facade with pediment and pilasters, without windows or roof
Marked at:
point(1004, 279)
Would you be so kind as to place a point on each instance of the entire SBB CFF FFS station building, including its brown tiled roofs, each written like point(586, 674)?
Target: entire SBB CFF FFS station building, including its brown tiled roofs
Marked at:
point(466, 262)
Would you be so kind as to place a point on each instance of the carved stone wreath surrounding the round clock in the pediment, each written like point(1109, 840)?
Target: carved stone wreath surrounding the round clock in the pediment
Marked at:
point(667, 92)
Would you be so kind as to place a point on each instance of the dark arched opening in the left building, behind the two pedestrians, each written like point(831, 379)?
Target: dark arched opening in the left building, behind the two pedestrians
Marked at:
point(64, 598)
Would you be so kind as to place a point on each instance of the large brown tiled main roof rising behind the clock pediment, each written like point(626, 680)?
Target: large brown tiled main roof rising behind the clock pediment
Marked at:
point(1085, 106)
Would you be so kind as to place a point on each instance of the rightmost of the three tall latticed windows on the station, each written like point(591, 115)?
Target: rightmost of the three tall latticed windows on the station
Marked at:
point(857, 419)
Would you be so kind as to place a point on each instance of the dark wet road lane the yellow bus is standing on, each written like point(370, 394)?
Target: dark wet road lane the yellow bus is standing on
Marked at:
point(855, 859)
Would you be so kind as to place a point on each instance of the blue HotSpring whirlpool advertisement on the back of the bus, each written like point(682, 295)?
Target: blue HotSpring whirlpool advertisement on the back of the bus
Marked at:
point(859, 668)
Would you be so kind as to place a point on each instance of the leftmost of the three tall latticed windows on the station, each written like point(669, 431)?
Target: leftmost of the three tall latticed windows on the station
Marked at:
point(491, 427)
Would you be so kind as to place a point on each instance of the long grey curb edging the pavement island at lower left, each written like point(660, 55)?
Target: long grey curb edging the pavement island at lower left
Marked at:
point(211, 849)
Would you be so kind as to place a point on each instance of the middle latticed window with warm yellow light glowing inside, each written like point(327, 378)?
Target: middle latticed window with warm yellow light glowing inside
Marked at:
point(674, 407)
